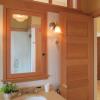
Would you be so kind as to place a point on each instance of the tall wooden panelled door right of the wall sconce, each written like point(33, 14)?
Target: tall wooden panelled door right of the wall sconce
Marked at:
point(77, 56)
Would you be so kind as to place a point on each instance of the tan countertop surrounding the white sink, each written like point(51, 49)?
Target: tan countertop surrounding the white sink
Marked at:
point(52, 95)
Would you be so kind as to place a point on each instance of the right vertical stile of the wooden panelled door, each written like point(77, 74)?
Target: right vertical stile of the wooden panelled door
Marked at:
point(91, 58)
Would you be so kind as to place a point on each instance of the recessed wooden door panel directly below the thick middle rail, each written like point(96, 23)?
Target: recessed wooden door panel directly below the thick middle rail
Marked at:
point(77, 72)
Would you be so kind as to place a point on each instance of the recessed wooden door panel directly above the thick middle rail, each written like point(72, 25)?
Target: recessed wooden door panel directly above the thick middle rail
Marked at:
point(76, 50)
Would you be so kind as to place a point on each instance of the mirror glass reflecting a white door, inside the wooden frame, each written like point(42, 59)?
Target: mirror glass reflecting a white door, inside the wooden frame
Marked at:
point(25, 43)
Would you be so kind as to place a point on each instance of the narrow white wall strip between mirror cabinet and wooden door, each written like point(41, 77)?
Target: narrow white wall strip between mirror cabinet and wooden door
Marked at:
point(53, 52)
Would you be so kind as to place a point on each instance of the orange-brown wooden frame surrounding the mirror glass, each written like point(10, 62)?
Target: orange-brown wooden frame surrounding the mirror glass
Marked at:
point(42, 70)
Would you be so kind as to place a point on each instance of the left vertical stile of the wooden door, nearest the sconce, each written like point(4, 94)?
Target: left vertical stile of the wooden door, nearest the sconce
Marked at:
point(63, 77)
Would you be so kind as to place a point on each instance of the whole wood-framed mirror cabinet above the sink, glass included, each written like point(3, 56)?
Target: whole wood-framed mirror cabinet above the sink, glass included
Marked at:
point(26, 45)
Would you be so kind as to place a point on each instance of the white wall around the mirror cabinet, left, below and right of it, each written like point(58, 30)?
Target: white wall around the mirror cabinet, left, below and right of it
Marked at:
point(53, 55)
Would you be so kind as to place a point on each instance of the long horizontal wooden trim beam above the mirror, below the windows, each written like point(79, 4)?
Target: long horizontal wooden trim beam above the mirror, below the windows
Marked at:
point(29, 5)
